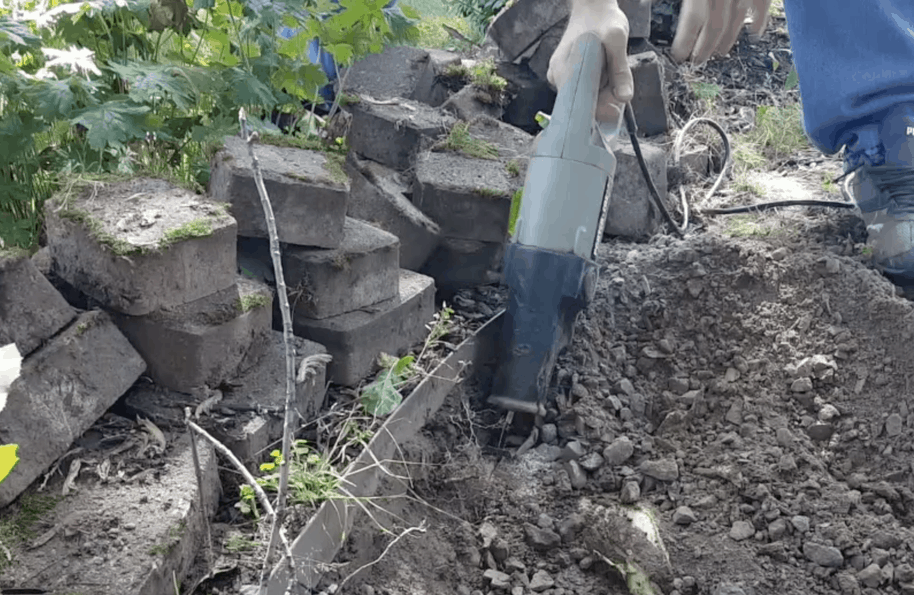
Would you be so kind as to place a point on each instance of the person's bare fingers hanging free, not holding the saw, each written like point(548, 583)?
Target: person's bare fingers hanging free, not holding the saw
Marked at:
point(710, 27)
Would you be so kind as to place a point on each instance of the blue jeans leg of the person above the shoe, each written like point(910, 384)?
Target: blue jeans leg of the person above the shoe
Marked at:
point(855, 60)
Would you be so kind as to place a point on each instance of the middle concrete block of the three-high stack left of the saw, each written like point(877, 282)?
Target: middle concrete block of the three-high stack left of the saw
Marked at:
point(360, 273)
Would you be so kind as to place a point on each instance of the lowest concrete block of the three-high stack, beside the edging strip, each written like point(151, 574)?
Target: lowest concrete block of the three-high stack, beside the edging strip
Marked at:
point(356, 339)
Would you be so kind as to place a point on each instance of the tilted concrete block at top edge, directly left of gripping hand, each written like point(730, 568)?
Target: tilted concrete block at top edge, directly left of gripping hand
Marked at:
point(519, 27)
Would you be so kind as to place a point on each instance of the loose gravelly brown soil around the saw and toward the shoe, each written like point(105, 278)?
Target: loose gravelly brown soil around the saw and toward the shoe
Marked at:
point(758, 369)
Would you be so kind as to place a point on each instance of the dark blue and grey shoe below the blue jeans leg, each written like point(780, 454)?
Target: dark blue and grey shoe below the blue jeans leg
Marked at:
point(881, 157)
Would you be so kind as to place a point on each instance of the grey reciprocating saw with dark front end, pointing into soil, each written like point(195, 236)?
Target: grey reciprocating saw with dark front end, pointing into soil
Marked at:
point(549, 267)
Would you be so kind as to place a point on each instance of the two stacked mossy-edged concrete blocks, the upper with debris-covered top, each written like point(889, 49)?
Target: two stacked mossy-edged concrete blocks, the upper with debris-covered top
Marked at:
point(162, 260)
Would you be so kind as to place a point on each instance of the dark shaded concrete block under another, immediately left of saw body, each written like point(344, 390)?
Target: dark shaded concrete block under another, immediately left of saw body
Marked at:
point(458, 264)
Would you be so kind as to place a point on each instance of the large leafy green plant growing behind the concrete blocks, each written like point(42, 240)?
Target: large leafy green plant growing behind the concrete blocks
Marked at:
point(86, 86)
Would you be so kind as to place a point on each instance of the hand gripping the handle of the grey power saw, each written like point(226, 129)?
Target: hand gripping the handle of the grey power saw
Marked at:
point(606, 19)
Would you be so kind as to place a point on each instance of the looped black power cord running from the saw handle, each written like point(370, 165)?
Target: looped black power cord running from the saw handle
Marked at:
point(680, 230)
